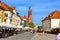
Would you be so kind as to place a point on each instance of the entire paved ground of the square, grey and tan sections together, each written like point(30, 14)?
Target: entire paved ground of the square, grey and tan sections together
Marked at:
point(30, 36)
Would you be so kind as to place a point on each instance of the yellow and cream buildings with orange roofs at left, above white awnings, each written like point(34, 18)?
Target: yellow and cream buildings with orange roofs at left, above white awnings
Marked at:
point(9, 15)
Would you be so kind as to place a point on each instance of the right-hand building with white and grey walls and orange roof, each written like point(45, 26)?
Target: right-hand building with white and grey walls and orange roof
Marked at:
point(52, 20)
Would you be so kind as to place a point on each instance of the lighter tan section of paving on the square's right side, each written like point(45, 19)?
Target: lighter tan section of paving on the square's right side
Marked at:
point(44, 37)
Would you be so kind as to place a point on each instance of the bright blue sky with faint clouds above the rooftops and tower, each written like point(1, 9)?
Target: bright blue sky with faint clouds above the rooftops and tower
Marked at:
point(40, 8)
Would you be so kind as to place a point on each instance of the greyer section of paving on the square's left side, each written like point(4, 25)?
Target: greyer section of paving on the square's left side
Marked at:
point(22, 36)
